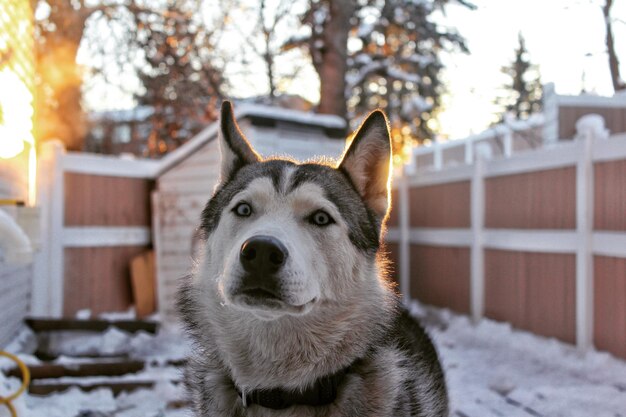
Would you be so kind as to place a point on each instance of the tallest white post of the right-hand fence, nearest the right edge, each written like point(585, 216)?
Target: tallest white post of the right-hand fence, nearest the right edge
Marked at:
point(584, 253)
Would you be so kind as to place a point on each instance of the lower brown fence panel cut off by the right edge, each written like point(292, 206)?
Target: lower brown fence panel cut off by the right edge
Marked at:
point(610, 304)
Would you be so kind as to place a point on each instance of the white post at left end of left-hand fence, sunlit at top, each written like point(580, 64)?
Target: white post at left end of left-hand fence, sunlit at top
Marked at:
point(47, 292)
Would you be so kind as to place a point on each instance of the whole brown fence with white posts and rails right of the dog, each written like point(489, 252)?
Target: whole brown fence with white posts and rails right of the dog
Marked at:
point(537, 239)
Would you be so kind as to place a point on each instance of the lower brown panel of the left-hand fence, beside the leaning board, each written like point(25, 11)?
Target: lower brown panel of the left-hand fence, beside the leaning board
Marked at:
point(98, 278)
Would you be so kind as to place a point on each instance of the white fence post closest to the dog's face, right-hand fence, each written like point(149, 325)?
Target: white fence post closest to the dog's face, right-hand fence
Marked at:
point(404, 245)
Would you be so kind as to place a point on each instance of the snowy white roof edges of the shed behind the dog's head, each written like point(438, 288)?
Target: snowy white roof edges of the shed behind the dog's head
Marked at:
point(248, 110)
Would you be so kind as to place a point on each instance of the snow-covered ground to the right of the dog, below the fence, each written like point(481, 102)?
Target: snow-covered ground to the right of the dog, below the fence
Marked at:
point(493, 370)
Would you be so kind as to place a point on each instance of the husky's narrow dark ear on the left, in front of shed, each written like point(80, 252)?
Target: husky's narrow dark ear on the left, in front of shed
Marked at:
point(235, 149)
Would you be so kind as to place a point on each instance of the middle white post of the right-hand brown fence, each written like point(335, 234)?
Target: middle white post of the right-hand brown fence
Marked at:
point(477, 273)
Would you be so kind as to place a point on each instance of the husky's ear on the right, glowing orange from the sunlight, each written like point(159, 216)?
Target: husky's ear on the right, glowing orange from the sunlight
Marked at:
point(367, 161)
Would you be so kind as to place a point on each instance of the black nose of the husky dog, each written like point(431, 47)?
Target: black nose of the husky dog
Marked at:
point(263, 255)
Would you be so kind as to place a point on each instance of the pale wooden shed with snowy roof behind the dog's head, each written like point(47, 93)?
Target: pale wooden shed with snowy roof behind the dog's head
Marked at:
point(188, 176)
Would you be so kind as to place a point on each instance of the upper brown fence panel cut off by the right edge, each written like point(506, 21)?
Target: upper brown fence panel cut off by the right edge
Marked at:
point(610, 196)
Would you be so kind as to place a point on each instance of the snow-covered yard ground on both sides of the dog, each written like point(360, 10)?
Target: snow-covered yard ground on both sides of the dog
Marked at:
point(491, 371)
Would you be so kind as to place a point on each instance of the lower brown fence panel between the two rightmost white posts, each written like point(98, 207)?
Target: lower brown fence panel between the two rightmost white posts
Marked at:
point(532, 291)
